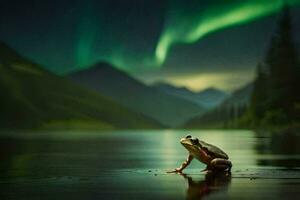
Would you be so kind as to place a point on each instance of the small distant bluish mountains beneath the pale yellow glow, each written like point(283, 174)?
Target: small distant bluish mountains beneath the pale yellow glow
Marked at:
point(208, 98)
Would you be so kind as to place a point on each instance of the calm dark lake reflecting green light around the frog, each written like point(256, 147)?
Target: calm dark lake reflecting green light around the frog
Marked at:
point(132, 164)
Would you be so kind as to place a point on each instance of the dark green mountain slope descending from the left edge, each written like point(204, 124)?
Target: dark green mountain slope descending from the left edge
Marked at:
point(33, 97)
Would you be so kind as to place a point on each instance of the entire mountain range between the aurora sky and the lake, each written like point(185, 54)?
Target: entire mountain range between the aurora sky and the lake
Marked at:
point(102, 96)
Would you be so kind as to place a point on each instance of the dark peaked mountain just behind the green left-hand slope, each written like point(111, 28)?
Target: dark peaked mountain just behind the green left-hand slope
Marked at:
point(109, 81)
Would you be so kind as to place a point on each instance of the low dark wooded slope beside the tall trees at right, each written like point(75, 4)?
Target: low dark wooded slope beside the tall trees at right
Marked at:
point(231, 109)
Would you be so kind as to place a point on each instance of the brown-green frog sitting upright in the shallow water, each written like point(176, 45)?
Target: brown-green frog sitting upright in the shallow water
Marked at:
point(212, 156)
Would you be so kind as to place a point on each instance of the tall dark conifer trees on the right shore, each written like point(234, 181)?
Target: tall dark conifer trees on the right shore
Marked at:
point(275, 97)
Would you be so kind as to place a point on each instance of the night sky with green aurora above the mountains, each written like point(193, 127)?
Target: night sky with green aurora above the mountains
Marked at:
point(192, 43)
